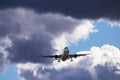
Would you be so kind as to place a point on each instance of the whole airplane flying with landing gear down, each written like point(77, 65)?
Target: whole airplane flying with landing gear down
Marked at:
point(65, 56)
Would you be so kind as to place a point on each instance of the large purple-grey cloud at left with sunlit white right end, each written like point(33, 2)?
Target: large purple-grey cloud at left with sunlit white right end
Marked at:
point(32, 35)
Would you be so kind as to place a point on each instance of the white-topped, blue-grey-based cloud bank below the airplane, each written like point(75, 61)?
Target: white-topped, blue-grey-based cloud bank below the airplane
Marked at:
point(101, 65)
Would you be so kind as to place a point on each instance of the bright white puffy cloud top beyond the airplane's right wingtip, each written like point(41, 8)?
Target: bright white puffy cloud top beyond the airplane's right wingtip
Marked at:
point(105, 54)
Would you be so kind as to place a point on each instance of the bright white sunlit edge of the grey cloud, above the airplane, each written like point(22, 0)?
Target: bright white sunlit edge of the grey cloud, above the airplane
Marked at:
point(81, 31)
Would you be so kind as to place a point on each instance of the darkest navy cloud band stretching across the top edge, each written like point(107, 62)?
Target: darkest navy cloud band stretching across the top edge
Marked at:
point(93, 9)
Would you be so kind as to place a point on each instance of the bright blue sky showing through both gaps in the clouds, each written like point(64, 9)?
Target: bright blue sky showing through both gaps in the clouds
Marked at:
point(105, 35)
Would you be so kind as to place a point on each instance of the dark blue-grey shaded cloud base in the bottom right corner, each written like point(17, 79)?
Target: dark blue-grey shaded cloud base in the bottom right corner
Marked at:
point(106, 72)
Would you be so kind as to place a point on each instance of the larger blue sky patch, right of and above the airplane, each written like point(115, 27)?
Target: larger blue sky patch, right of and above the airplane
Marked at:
point(105, 35)
